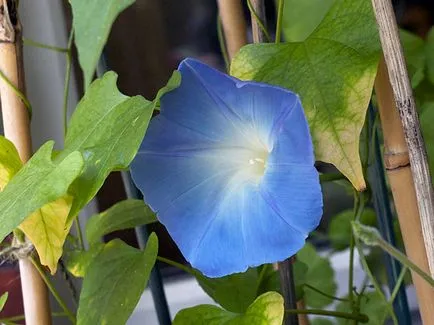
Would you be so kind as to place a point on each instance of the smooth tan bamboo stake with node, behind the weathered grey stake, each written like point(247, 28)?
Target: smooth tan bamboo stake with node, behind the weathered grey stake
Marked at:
point(397, 163)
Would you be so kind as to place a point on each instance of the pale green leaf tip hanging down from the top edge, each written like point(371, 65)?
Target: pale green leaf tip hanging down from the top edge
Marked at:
point(92, 22)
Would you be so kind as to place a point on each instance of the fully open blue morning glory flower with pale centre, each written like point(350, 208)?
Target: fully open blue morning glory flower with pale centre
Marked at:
point(228, 167)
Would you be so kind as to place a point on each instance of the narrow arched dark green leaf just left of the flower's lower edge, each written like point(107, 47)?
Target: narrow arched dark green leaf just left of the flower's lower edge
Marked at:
point(123, 215)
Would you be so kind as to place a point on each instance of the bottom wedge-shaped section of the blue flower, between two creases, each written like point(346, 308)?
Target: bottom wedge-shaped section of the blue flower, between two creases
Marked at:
point(245, 233)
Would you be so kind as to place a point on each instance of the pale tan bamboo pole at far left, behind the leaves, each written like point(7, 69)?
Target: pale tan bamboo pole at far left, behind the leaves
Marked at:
point(17, 129)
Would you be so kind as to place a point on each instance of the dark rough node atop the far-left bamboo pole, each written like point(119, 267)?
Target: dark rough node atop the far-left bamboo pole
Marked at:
point(8, 21)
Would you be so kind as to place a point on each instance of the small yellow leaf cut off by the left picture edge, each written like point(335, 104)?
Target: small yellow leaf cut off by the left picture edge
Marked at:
point(10, 162)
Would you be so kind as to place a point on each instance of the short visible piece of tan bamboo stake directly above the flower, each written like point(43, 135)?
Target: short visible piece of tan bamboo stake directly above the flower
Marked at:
point(234, 25)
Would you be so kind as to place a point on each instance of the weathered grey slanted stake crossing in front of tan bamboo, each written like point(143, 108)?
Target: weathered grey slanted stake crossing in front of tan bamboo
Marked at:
point(404, 101)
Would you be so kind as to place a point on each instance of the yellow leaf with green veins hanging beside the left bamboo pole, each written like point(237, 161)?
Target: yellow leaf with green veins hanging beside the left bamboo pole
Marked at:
point(47, 229)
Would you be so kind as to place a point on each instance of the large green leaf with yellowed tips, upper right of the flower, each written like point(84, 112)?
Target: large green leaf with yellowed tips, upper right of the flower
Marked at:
point(333, 71)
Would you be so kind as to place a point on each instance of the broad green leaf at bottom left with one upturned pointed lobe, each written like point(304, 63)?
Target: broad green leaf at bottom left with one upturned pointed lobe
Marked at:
point(114, 283)
